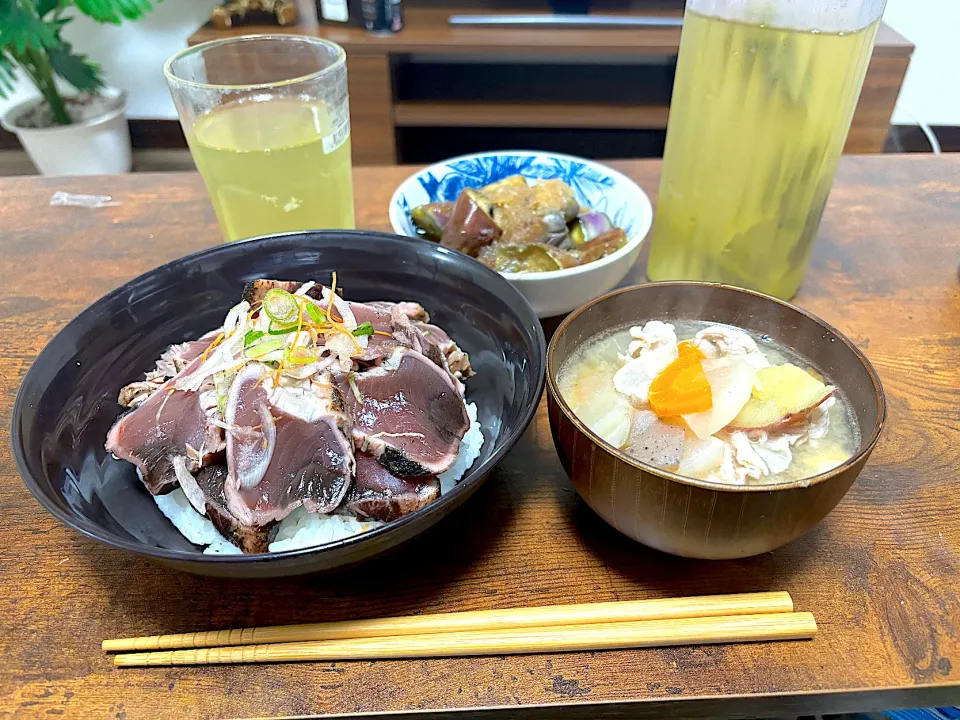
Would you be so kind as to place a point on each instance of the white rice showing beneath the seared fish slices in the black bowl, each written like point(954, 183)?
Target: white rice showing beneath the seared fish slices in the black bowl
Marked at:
point(301, 529)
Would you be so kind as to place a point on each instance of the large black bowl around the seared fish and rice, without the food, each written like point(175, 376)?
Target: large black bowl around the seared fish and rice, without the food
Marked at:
point(68, 400)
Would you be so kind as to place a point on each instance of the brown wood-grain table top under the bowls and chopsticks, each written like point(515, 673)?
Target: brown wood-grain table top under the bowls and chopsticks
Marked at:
point(882, 572)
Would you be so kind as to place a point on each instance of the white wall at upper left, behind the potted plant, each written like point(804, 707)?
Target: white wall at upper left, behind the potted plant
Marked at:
point(132, 54)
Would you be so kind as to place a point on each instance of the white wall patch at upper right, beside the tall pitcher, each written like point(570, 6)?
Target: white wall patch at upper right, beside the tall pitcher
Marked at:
point(932, 88)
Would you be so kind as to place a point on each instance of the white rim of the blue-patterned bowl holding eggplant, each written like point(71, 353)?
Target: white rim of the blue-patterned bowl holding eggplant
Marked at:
point(644, 209)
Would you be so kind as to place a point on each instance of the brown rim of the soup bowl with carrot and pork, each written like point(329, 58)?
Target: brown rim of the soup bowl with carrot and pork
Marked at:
point(866, 446)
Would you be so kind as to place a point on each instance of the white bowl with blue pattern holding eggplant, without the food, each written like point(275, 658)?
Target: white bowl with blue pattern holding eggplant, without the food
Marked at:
point(596, 186)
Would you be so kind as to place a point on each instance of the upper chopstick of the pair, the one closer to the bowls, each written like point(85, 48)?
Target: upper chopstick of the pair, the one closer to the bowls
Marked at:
point(478, 620)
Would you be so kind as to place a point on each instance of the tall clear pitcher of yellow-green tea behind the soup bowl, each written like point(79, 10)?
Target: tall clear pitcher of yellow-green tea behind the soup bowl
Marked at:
point(762, 102)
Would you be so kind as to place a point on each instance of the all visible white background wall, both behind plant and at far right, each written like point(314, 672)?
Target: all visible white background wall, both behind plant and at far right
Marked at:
point(133, 54)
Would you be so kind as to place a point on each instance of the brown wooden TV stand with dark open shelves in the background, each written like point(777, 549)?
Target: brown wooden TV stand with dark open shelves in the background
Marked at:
point(631, 70)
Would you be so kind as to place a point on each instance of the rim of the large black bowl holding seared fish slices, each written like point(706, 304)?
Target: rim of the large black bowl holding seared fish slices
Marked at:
point(474, 474)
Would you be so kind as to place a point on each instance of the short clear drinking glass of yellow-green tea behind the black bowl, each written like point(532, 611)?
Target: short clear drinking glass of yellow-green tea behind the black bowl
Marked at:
point(268, 124)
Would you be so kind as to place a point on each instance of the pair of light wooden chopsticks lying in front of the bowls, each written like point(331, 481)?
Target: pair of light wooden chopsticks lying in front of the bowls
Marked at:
point(746, 617)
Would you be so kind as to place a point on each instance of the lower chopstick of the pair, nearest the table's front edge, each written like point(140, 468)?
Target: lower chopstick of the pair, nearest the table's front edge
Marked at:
point(566, 638)
